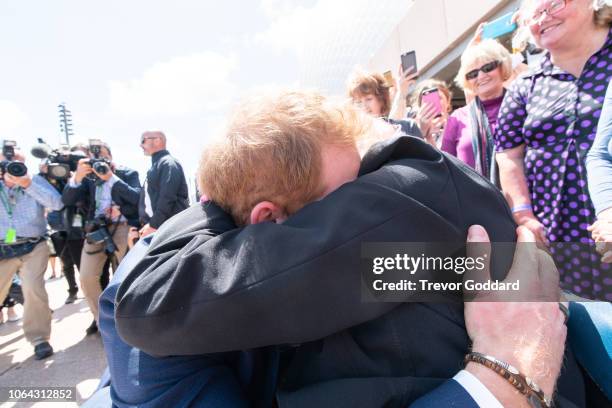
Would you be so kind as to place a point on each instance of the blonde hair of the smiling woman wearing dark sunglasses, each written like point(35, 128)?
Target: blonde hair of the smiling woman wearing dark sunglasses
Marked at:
point(485, 51)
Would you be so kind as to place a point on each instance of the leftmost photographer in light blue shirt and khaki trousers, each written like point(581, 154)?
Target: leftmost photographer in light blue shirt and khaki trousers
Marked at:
point(23, 249)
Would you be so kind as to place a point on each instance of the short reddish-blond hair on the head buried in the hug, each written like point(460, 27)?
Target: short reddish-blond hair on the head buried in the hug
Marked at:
point(271, 151)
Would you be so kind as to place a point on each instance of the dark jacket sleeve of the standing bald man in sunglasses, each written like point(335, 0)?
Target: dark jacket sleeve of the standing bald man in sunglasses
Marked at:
point(171, 177)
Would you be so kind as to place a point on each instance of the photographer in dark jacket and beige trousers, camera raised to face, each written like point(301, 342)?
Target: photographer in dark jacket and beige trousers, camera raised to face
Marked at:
point(110, 196)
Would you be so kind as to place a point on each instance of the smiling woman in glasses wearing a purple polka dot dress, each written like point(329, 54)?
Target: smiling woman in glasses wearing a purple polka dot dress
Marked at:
point(547, 124)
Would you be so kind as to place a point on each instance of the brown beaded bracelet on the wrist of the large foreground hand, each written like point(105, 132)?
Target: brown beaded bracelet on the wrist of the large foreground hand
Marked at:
point(535, 395)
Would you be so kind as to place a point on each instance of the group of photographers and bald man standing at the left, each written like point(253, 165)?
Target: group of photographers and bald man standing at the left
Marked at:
point(90, 216)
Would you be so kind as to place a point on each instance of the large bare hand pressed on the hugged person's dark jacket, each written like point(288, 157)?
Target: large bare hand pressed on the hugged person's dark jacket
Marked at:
point(527, 335)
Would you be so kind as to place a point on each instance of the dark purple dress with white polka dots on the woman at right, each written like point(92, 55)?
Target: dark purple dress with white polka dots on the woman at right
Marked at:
point(554, 114)
